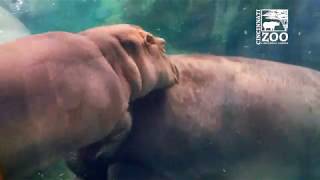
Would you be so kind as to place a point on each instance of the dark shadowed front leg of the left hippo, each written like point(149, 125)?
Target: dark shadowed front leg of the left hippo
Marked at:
point(91, 162)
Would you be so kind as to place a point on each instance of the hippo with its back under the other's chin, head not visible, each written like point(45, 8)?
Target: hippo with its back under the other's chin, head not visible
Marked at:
point(229, 118)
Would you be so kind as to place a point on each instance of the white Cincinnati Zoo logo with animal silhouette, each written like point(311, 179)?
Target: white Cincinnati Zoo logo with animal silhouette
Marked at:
point(272, 26)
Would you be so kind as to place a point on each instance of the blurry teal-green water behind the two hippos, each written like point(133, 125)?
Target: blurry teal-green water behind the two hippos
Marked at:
point(222, 27)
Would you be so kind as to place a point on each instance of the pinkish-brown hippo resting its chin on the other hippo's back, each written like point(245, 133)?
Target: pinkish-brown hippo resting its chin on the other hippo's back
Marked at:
point(61, 91)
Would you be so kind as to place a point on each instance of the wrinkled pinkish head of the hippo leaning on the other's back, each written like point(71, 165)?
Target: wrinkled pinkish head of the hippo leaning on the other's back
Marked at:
point(136, 55)
